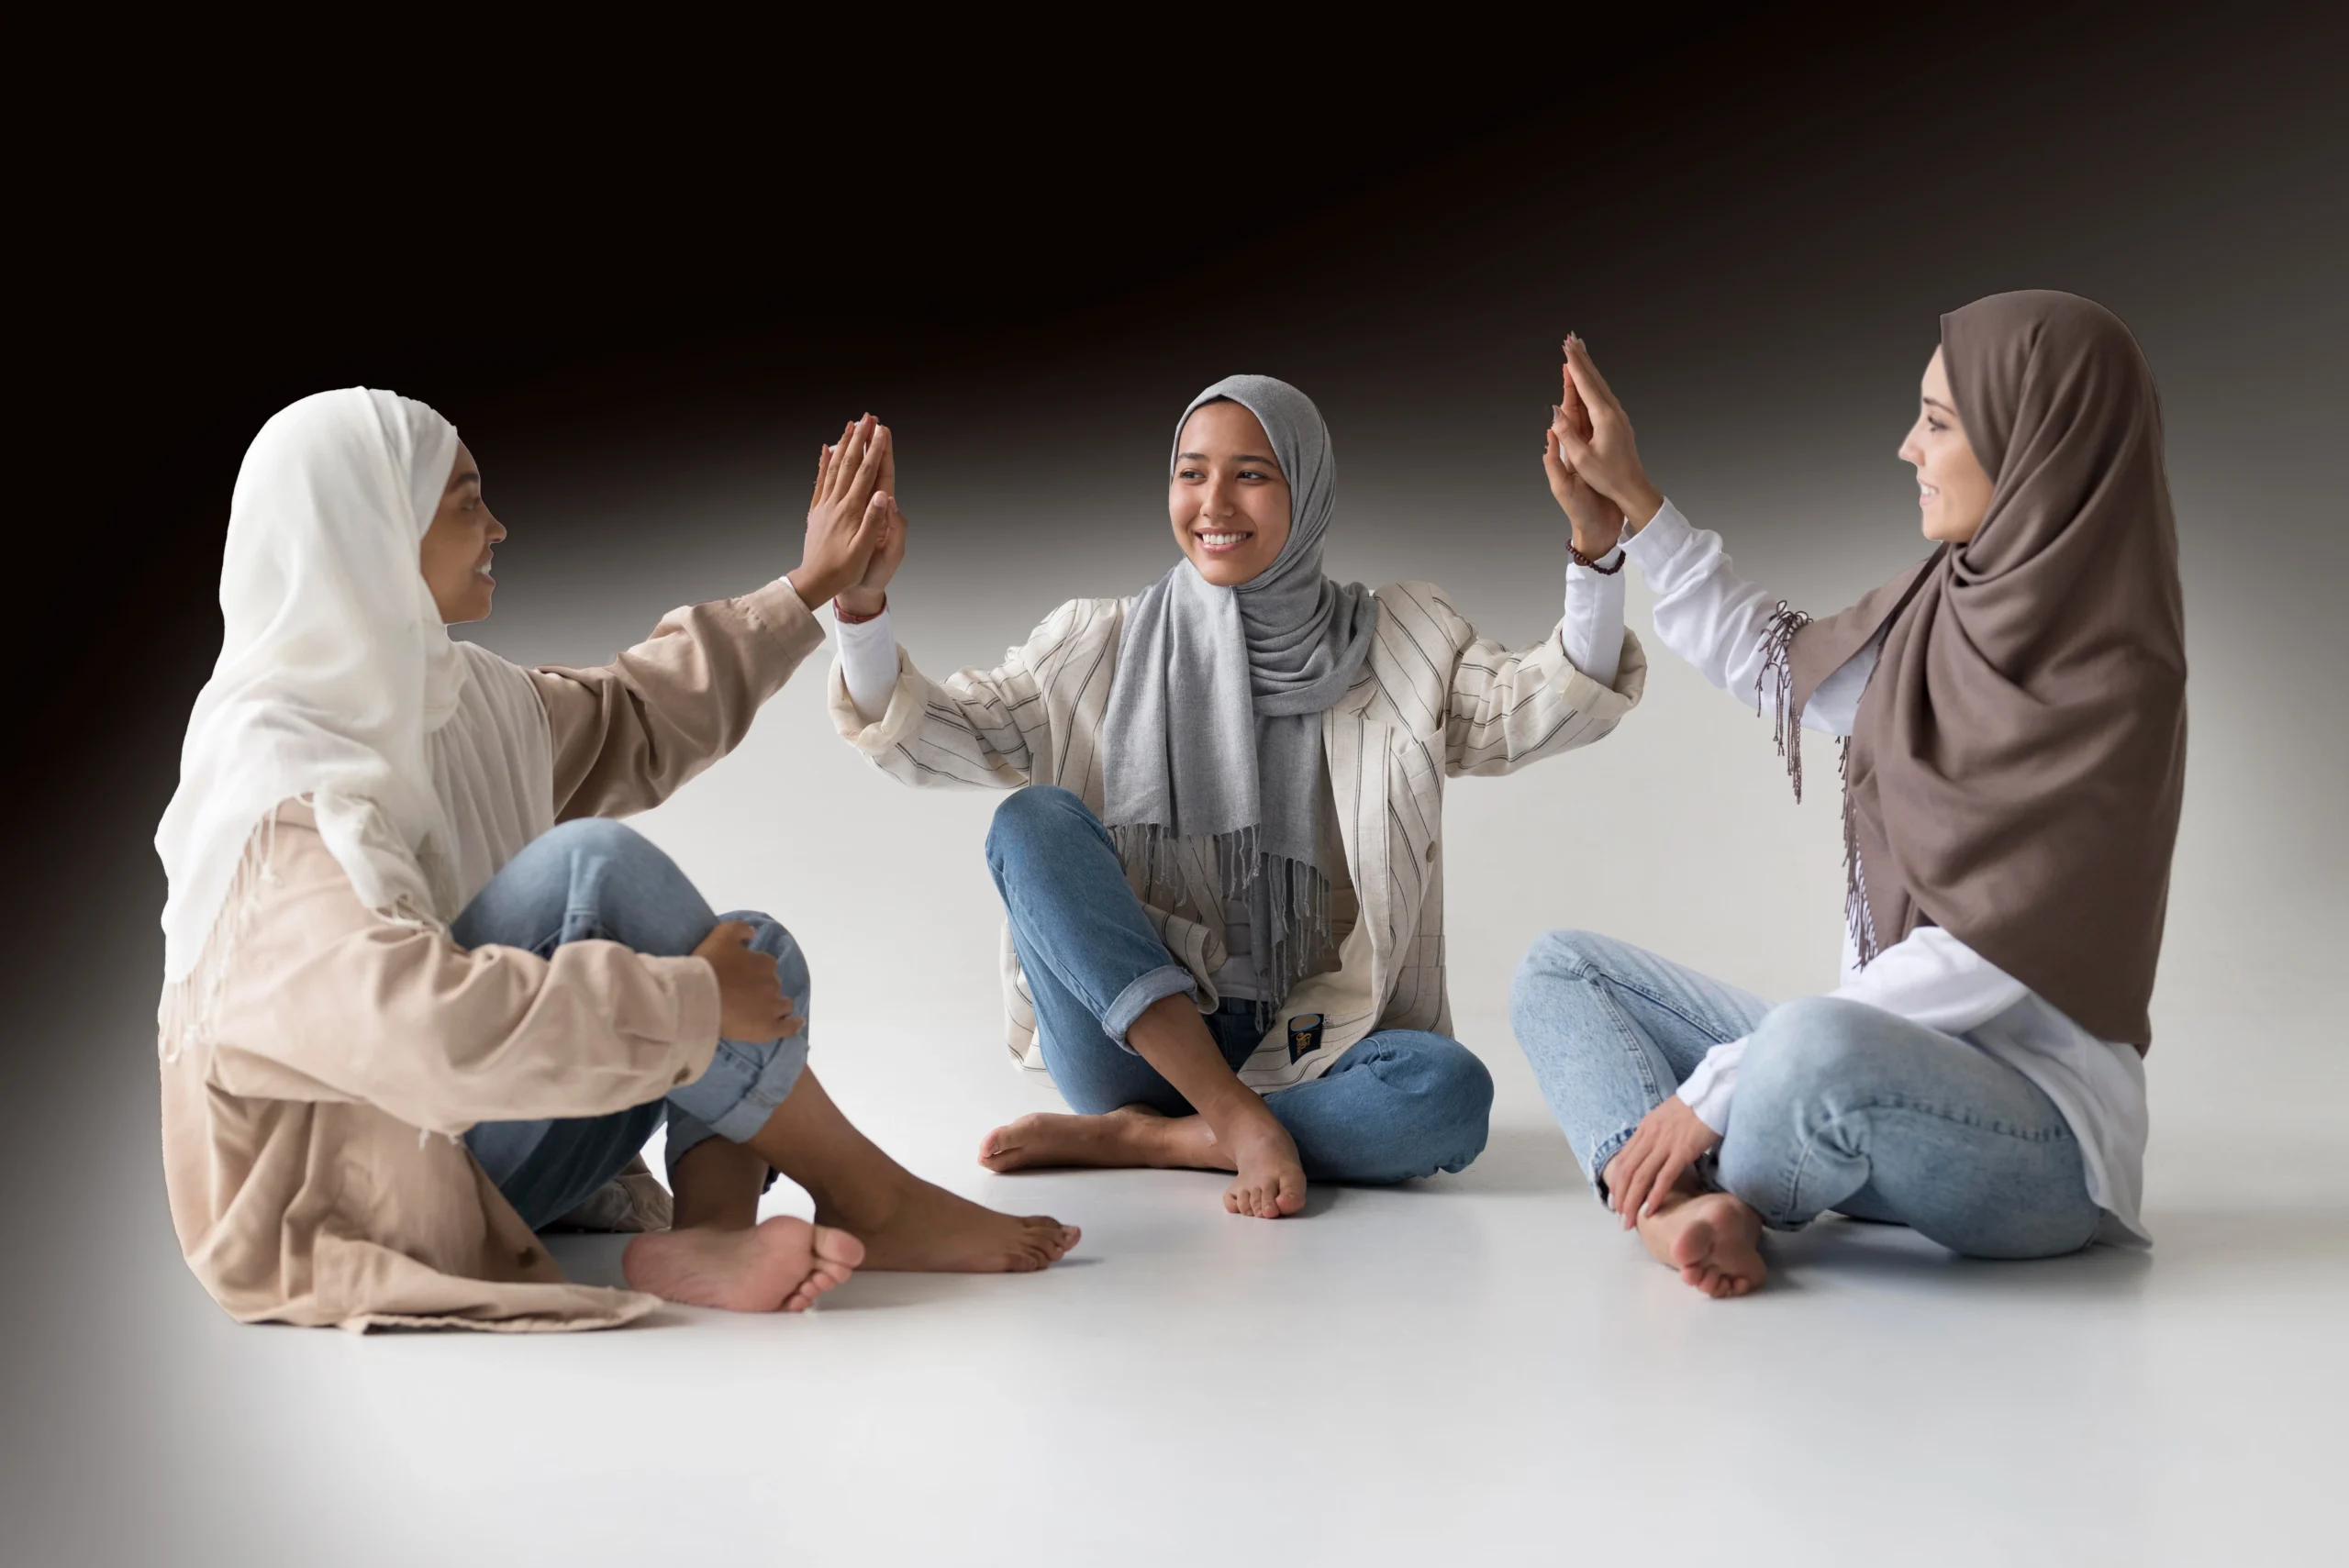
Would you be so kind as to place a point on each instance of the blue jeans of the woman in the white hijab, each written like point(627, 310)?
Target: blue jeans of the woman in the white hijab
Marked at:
point(598, 881)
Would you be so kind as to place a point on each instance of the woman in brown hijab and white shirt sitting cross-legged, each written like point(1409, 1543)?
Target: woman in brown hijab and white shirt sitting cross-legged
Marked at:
point(2014, 759)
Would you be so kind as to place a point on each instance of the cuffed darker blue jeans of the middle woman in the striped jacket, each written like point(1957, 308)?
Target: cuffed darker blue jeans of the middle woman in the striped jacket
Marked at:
point(1399, 1104)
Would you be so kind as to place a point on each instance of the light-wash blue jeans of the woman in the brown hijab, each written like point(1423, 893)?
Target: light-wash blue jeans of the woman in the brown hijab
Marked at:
point(1838, 1104)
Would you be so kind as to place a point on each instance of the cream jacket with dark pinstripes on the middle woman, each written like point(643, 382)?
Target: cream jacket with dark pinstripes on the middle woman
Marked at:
point(1432, 701)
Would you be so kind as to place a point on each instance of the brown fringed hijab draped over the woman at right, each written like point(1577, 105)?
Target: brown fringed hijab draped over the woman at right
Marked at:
point(2019, 755)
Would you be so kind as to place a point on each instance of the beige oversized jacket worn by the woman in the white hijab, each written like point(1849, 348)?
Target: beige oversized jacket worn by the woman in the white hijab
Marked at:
point(309, 1130)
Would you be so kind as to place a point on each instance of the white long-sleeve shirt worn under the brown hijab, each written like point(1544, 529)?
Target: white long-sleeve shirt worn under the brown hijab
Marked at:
point(1716, 621)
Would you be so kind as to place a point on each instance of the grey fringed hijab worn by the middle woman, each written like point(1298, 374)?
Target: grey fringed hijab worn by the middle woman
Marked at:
point(1213, 726)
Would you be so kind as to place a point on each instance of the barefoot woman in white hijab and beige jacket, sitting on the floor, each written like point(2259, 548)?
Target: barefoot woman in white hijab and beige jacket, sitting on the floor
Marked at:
point(422, 999)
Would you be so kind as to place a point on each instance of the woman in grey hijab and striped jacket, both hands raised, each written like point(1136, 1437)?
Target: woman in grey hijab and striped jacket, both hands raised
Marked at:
point(1223, 860)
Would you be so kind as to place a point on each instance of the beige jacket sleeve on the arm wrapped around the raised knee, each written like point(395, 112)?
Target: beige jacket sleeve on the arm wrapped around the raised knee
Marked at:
point(328, 1001)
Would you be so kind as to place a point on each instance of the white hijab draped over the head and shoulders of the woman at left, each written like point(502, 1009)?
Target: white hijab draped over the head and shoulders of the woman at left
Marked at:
point(426, 762)
